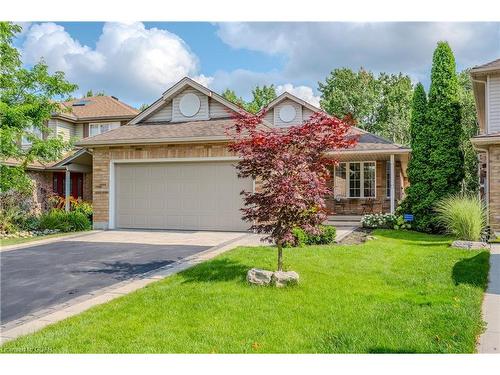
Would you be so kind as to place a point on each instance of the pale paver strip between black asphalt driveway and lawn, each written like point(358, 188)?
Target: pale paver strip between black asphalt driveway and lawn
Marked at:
point(42, 318)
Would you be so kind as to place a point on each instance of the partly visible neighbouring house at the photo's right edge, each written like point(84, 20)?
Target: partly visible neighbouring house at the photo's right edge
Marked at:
point(486, 86)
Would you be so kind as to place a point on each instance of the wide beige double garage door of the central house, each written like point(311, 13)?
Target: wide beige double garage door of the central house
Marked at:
point(180, 195)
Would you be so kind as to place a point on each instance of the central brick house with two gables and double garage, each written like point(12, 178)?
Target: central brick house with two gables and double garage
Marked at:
point(169, 167)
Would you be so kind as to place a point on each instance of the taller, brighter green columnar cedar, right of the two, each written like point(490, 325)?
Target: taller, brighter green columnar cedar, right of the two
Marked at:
point(446, 158)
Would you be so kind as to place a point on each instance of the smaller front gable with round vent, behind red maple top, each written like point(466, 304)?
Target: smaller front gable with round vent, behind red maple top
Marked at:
point(289, 110)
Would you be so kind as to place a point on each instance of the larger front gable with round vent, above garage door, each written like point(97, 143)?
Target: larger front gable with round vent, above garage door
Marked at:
point(186, 101)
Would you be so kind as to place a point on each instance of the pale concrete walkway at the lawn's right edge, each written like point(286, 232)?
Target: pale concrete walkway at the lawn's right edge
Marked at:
point(489, 342)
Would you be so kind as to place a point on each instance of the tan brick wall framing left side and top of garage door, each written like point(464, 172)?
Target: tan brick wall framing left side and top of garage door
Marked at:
point(103, 156)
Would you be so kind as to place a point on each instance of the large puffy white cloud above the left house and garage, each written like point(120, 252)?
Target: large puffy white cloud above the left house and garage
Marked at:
point(129, 60)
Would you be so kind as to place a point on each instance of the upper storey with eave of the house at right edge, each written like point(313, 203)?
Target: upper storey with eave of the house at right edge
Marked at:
point(486, 86)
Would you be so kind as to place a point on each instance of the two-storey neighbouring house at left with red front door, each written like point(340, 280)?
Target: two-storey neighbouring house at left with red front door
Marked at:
point(78, 119)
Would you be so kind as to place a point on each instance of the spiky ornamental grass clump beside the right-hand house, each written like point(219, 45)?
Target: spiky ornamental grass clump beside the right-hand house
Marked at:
point(463, 215)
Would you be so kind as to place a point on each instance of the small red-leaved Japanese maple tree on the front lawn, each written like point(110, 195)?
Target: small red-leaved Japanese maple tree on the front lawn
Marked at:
point(291, 170)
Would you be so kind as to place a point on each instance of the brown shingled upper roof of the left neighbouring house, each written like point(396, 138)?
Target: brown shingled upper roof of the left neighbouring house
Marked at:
point(97, 107)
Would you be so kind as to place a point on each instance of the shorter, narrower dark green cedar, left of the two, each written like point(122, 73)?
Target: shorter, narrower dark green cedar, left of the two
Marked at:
point(417, 199)
